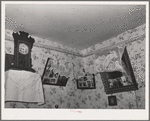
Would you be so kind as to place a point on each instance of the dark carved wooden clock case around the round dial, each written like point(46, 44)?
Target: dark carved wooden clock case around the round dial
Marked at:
point(22, 61)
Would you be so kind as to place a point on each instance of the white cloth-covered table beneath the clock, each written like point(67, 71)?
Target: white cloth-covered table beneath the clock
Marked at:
point(24, 86)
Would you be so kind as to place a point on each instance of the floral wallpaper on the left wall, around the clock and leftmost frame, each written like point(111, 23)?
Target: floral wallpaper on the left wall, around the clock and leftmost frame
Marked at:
point(64, 97)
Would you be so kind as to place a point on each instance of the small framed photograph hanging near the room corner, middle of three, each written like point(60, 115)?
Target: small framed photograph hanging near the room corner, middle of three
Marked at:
point(86, 82)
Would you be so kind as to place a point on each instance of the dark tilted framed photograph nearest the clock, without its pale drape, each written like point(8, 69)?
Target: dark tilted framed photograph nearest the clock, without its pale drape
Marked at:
point(51, 78)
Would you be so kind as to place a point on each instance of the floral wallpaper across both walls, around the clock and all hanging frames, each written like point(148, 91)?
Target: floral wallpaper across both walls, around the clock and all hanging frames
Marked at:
point(70, 96)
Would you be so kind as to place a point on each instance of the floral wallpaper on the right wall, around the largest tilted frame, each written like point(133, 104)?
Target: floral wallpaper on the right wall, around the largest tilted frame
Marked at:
point(136, 51)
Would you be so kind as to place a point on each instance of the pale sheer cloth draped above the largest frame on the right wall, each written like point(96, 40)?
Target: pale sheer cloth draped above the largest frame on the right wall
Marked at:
point(108, 60)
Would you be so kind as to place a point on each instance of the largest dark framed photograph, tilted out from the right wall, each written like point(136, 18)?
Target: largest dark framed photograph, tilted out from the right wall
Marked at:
point(116, 81)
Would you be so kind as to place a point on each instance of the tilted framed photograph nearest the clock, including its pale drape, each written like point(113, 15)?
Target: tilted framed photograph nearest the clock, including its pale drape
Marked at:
point(54, 74)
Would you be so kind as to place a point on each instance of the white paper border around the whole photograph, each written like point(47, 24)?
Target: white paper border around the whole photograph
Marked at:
point(74, 114)
